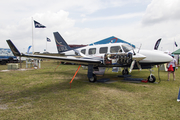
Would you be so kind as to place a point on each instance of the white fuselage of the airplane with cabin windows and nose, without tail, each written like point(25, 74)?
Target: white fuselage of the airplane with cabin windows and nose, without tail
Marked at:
point(145, 56)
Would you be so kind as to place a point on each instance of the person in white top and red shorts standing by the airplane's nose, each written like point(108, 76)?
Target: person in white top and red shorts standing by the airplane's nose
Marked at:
point(172, 66)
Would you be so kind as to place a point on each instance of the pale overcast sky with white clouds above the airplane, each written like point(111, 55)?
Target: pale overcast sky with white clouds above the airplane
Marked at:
point(140, 22)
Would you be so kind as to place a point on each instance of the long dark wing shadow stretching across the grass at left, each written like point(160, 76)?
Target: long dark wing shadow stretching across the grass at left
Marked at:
point(35, 92)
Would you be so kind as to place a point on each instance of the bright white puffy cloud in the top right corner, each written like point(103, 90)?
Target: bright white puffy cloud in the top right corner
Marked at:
point(162, 10)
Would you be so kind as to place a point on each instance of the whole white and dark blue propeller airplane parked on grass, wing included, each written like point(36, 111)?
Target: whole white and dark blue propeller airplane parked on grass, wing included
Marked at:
point(102, 56)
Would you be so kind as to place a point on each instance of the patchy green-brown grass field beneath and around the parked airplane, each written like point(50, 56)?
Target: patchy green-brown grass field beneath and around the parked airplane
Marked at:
point(45, 94)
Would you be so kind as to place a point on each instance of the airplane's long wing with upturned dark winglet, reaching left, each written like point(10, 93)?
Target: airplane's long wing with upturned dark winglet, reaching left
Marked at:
point(64, 59)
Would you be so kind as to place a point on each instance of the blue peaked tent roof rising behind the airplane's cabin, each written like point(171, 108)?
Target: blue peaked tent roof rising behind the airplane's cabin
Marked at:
point(111, 40)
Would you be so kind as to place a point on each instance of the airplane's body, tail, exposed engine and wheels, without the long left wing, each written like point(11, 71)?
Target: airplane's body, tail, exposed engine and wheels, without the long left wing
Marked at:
point(115, 55)
